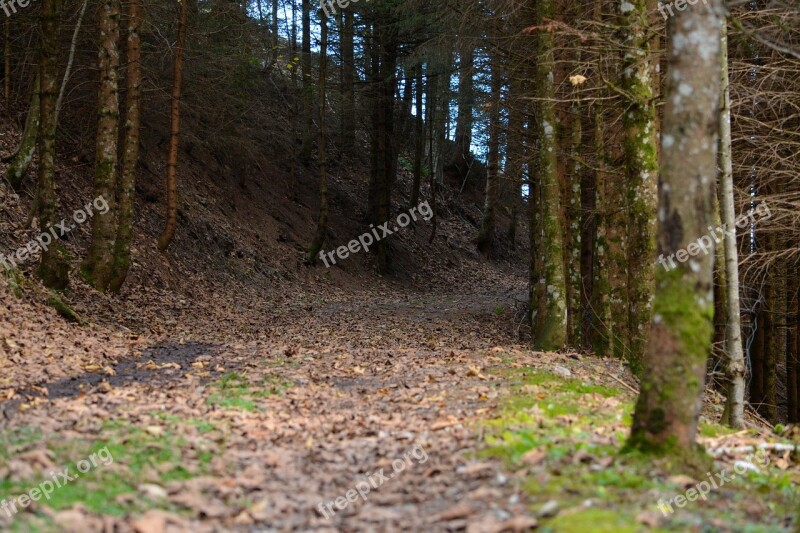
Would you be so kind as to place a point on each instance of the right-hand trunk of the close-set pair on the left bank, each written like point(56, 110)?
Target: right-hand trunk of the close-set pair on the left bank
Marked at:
point(130, 150)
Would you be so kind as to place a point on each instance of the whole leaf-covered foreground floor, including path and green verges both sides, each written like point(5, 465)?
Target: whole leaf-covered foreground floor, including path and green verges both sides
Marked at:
point(427, 404)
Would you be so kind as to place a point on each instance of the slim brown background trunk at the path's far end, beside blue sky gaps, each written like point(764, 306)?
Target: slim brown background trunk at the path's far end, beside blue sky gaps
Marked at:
point(486, 232)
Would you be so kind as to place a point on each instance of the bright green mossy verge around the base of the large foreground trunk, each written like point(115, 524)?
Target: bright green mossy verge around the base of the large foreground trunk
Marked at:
point(567, 433)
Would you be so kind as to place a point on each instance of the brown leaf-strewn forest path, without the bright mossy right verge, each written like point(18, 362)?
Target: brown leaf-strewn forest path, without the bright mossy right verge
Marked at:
point(386, 394)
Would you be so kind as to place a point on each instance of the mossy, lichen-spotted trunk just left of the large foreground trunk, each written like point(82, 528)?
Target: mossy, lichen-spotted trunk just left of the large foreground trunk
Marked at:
point(641, 173)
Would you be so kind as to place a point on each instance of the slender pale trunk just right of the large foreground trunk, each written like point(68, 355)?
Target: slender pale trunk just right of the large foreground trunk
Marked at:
point(735, 365)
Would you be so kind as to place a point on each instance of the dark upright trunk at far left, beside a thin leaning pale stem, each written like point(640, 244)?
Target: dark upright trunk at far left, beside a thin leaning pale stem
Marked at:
point(54, 266)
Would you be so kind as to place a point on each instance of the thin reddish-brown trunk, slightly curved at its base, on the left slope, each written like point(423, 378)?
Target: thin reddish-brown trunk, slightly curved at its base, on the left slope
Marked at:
point(175, 133)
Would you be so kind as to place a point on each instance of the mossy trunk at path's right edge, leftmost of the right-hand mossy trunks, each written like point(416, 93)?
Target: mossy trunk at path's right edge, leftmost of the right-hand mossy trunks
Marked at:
point(550, 311)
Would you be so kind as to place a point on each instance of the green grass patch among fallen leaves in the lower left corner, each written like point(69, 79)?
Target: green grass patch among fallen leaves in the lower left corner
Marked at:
point(126, 456)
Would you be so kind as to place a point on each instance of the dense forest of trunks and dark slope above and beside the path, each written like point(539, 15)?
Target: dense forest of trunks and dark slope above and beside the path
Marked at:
point(586, 161)
